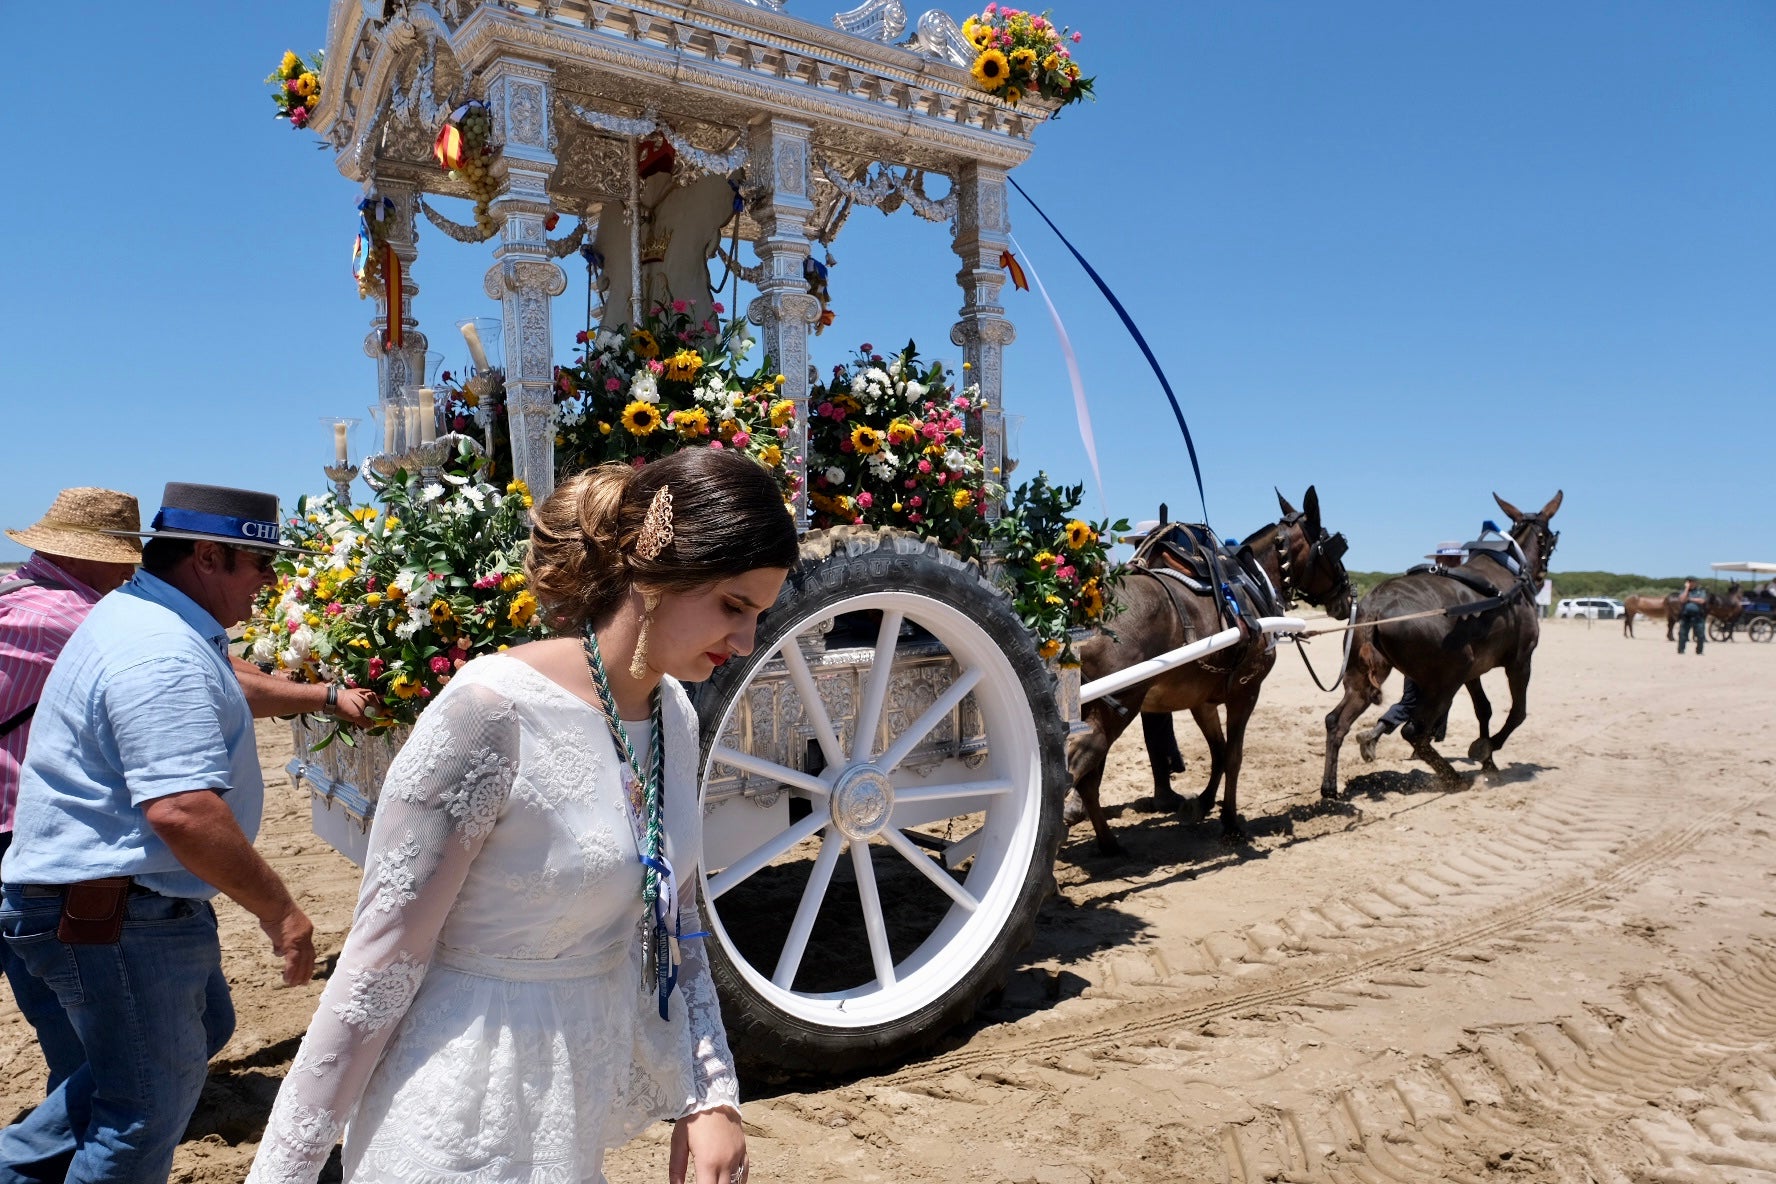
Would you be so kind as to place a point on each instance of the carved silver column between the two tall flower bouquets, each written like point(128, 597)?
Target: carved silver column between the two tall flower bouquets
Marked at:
point(784, 308)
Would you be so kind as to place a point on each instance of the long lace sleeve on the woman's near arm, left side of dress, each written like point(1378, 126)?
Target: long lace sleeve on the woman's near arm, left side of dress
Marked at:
point(443, 796)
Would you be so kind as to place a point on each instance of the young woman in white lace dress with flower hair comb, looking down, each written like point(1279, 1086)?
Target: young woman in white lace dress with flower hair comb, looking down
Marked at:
point(523, 986)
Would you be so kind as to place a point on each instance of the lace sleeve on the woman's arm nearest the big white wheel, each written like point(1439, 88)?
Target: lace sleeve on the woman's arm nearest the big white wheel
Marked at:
point(713, 1064)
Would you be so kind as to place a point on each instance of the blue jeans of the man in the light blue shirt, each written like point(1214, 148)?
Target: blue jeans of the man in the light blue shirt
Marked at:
point(150, 1013)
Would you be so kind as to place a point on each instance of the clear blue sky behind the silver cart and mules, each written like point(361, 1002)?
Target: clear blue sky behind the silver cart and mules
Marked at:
point(1411, 253)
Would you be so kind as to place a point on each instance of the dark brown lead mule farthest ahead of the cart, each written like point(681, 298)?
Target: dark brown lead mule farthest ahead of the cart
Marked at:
point(1475, 619)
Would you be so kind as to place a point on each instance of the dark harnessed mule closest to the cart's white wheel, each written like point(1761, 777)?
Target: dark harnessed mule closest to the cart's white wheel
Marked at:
point(1301, 560)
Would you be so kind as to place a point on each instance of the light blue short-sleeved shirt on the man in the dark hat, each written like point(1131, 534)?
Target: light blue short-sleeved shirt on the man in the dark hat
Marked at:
point(141, 704)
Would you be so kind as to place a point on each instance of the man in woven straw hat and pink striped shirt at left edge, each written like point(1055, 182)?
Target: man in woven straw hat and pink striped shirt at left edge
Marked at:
point(74, 564)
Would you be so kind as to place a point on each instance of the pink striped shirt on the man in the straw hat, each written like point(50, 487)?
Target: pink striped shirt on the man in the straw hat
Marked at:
point(35, 626)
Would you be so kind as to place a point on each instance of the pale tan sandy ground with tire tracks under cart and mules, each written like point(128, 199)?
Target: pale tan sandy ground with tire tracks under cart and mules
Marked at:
point(1569, 975)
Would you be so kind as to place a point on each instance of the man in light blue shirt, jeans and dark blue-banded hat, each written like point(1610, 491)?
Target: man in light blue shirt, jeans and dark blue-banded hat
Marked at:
point(139, 800)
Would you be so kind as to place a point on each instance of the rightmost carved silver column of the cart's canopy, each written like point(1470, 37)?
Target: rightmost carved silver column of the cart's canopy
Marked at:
point(983, 232)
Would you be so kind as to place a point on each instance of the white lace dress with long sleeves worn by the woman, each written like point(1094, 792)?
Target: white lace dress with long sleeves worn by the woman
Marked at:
point(488, 1020)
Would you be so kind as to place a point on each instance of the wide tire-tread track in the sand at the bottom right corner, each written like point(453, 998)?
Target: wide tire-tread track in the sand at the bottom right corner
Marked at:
point(1683, 1094)
